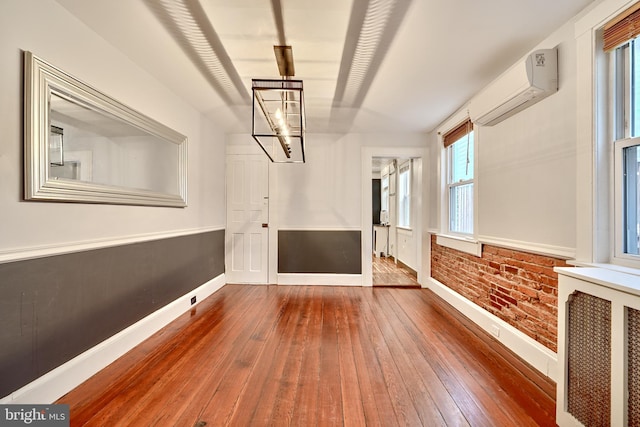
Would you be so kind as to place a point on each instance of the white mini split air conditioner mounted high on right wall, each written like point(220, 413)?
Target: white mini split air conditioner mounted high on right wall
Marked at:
point(522, 85)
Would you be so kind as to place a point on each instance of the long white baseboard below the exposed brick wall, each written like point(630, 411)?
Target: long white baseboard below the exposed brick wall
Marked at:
point(531, 351)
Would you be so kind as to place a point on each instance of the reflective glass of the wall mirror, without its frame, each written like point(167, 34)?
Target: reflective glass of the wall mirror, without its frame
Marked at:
point(89, 146)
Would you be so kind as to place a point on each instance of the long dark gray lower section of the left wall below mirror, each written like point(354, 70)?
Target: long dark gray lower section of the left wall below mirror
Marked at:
point(54, 308)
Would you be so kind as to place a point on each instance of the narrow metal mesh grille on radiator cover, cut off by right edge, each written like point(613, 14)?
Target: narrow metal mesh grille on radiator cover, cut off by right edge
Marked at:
point(633, 365)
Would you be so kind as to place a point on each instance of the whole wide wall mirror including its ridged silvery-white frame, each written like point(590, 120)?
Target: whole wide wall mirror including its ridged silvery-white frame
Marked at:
point(83, 146)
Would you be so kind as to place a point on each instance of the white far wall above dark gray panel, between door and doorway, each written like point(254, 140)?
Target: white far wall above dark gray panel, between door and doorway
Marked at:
point(326, 191)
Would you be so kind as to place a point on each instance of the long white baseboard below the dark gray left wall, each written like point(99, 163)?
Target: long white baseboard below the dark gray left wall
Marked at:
point(56, 383)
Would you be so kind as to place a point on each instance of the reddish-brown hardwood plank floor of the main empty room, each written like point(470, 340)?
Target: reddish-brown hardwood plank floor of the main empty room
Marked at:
point(301, 355)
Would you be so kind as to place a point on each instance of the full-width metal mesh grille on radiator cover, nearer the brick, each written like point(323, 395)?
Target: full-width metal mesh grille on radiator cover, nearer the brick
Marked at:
point(589, 359)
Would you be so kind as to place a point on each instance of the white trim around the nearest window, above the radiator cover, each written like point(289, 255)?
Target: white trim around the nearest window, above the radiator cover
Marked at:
point(594, 198)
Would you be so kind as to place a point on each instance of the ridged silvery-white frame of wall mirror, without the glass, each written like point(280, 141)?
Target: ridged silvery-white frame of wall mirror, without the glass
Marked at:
point(41, 79)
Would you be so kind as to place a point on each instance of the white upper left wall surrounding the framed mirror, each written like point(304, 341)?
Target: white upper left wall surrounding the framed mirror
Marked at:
point(50, 32)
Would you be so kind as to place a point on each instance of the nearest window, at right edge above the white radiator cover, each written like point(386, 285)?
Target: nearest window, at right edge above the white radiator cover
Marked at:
point(626, 146)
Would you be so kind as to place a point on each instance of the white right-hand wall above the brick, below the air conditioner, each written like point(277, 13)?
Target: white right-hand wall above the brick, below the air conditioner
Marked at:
point(526, 168)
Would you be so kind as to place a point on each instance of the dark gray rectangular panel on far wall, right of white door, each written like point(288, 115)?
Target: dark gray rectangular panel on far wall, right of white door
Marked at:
point(320, 251)
